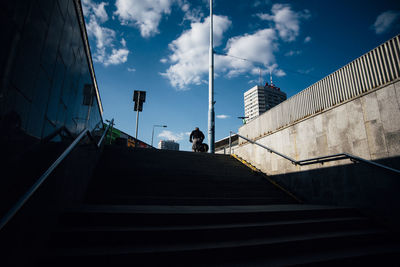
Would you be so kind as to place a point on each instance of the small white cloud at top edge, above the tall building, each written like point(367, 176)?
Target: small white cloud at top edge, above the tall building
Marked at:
point(287, 21)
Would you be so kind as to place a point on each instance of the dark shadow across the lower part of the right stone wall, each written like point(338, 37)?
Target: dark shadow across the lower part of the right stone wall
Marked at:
point(374, 191)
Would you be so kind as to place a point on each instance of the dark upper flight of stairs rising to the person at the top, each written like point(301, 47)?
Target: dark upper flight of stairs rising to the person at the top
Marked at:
point(141, 176)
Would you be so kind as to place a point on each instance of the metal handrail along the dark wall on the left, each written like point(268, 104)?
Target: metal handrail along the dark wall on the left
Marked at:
point(24, 198)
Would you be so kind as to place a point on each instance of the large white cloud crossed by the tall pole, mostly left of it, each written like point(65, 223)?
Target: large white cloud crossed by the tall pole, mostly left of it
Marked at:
point(189, 52)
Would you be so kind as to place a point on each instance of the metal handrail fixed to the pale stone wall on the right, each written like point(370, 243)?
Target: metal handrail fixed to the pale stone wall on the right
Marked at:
point(322, 159)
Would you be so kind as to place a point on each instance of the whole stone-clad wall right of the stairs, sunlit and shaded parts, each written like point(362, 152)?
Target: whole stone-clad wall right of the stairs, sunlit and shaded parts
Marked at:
point(367, 126)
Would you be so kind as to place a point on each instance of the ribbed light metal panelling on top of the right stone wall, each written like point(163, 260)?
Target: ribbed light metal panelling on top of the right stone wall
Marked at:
point(376, 68)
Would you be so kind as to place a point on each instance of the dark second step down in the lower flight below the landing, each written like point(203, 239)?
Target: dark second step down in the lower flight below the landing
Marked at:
point(157, 235)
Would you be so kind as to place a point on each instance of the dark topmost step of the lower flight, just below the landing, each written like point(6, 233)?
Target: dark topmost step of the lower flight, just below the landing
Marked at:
point(162, 215)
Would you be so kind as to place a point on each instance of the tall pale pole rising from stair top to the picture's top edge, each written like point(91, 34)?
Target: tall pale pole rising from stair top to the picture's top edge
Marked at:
point(211, 115)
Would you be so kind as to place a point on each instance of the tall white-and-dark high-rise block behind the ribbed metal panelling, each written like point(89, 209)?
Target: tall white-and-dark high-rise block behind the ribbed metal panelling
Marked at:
point(259, 99)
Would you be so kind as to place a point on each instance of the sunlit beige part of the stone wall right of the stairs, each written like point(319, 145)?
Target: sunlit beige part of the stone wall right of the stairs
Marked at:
point(367, 126)
